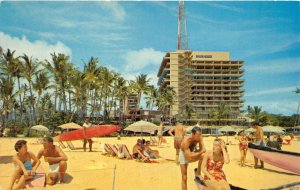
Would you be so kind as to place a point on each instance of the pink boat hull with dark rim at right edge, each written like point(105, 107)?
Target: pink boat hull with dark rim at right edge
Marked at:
point(282, 159)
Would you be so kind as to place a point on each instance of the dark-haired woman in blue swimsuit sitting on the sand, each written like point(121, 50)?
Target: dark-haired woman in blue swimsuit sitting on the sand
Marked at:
point(24, 167)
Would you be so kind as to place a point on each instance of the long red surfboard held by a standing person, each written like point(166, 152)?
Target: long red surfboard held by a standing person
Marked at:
point(87, 133)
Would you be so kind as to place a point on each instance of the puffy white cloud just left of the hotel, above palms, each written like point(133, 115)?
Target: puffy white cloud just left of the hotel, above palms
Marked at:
point(140, 59)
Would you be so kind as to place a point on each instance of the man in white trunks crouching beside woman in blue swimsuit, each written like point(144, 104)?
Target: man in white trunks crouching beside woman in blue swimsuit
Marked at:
point(57, 161)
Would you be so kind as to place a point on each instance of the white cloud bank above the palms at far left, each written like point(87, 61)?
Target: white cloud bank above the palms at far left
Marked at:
point(37, 49)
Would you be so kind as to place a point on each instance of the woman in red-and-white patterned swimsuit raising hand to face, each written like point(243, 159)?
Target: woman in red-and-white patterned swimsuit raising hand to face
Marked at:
point(212, 164)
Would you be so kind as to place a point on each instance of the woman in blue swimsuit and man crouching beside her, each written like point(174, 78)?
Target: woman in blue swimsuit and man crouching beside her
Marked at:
point(26, 163)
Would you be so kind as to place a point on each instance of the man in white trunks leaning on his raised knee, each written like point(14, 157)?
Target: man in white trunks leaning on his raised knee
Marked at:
point(188, 153)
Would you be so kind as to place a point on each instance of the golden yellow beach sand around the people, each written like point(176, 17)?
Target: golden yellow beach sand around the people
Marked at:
point(91, 170)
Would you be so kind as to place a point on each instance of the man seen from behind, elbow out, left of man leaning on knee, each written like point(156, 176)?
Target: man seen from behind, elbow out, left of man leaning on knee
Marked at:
point(179, 133)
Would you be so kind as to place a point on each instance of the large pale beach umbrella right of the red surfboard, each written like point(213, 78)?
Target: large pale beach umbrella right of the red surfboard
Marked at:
point(142, 126)
